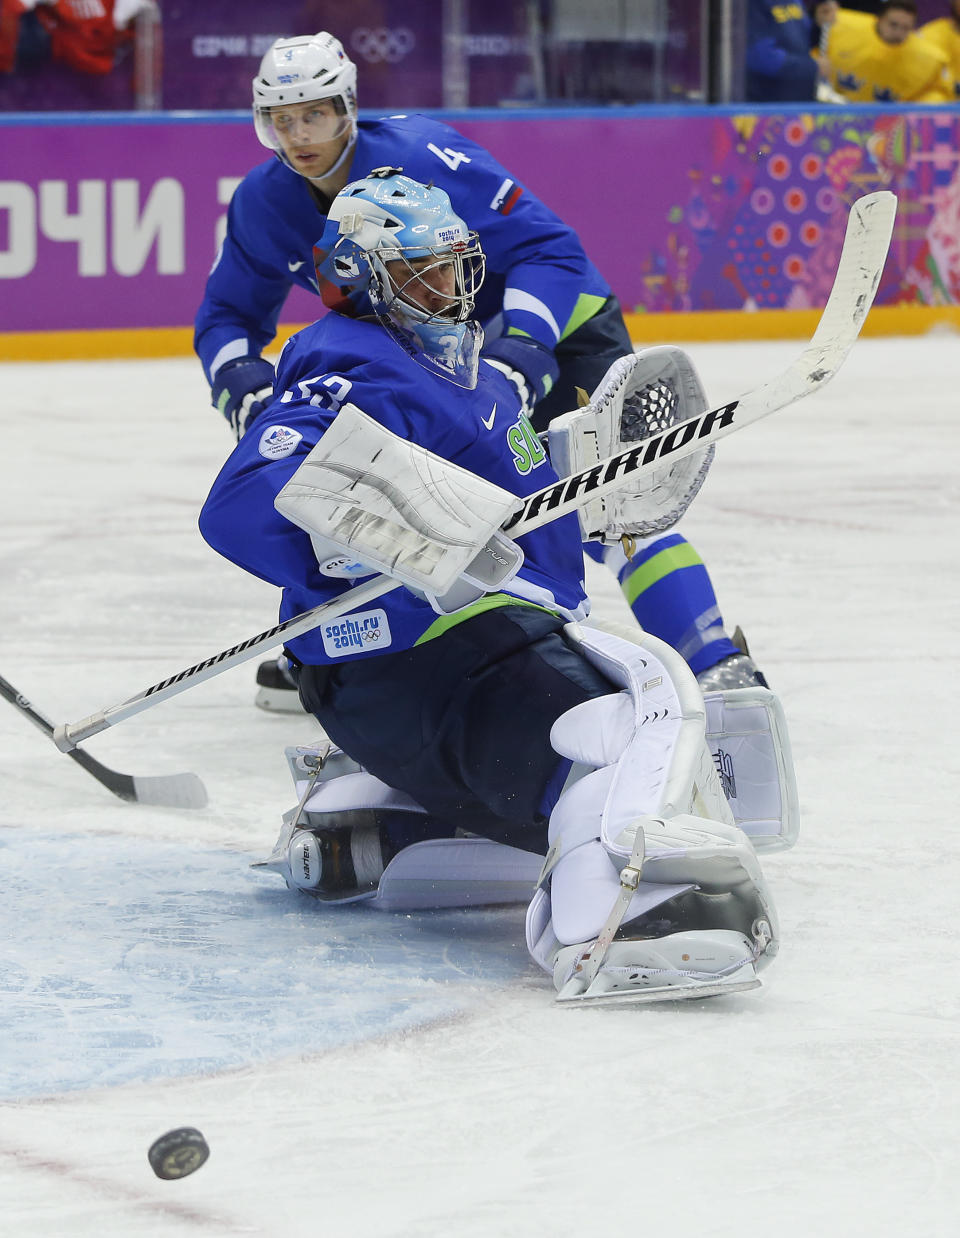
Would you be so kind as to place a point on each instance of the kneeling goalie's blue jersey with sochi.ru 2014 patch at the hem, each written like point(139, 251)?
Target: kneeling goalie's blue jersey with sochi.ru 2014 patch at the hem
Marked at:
point(340, 361)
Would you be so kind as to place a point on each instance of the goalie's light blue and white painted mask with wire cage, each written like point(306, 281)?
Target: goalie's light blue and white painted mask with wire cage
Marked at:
point(423, 266)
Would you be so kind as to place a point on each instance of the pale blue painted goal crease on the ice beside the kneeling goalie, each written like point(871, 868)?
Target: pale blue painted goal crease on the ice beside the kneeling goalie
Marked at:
point(131, 960)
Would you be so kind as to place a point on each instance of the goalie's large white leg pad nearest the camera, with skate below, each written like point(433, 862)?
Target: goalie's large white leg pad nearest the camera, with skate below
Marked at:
point(651, 771)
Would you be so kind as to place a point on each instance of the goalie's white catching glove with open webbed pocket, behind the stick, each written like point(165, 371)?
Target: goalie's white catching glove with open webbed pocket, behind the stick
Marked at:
point(641, 396)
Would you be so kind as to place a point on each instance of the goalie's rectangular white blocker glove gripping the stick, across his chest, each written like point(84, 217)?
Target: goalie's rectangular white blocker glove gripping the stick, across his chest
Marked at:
point(402, 511)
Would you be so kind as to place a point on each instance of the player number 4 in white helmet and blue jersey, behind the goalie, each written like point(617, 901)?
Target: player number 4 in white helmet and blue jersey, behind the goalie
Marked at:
point(551, 320)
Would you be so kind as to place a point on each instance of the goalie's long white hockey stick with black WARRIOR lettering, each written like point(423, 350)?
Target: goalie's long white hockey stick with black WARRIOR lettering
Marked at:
point(862, 264)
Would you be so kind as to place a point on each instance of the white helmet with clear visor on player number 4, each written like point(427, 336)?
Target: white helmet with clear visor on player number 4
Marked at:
point(305, 70)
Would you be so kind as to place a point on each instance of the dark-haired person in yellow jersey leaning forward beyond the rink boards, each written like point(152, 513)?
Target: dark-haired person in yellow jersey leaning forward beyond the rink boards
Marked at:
point(883, 60)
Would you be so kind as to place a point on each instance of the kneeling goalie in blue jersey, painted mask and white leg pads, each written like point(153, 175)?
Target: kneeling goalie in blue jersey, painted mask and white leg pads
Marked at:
point(480, 725)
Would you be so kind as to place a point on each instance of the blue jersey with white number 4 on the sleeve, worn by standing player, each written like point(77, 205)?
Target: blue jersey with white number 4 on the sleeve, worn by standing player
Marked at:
point(538, 275)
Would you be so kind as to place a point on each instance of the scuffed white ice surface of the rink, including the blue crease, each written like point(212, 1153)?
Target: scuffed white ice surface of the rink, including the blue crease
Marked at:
point(409, 1076)
